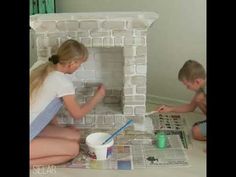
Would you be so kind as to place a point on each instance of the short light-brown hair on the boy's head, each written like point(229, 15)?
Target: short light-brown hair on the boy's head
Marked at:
point(191, 70)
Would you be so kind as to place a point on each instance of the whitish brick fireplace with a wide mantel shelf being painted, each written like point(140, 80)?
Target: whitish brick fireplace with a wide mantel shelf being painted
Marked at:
point(117, 44)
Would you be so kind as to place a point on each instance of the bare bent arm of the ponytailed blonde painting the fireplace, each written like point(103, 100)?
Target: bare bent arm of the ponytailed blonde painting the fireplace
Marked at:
point(78, 111)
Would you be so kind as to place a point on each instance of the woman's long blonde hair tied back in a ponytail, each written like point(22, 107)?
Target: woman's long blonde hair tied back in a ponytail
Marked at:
point(69, 51)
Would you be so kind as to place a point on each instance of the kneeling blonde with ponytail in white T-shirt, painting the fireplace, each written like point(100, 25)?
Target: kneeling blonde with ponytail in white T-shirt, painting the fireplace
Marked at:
point(49, 89)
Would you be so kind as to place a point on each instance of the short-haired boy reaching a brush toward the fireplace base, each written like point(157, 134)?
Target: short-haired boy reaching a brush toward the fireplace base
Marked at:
point(193, 76)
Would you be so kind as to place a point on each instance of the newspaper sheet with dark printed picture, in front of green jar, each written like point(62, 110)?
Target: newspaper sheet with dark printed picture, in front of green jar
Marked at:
point(148, 156)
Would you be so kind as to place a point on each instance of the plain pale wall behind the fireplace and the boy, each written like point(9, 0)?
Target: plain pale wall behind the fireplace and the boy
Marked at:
point(178, 35)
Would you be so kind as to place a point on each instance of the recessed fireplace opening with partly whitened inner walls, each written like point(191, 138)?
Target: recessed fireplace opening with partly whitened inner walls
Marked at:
point(104, 66)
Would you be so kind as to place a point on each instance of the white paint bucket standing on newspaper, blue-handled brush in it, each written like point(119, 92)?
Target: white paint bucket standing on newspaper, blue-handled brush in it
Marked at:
point(96, 149)
